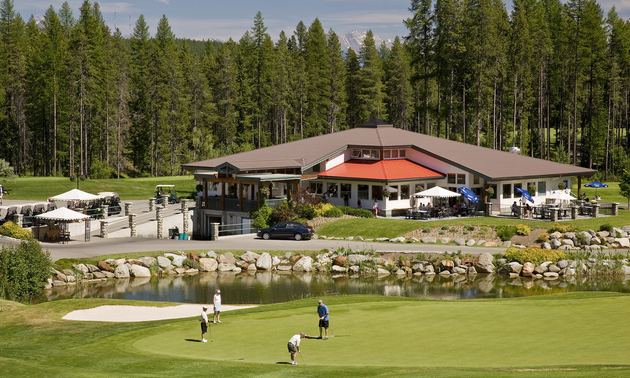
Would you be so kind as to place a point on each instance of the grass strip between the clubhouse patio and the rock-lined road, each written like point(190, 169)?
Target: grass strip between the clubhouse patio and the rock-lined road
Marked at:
point(370, 228)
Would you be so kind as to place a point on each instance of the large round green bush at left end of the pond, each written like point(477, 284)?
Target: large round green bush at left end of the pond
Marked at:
point(24, 270)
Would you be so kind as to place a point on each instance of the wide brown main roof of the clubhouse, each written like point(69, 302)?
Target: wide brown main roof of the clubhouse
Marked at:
point(492, 165)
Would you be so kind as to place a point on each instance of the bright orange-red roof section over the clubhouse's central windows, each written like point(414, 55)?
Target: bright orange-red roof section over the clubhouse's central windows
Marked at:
point(380, 170)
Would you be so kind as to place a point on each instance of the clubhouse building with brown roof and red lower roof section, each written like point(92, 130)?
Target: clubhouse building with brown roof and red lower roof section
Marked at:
point(371, 162)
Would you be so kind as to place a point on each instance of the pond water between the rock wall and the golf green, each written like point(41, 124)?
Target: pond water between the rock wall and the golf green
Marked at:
point(265, 288)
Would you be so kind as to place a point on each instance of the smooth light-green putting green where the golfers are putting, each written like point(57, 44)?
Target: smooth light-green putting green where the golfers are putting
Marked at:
point(576, 329)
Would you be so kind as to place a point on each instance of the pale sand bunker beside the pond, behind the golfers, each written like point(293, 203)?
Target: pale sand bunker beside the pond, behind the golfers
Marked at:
point(142, 313)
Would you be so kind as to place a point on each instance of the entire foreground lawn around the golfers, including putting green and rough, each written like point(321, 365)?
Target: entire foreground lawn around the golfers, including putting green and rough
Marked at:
point(563, 335)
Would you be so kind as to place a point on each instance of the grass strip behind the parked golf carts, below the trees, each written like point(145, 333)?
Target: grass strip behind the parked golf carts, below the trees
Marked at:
point(40, 188)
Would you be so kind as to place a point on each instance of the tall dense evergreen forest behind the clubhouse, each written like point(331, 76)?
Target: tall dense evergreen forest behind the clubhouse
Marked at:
point(77, 98)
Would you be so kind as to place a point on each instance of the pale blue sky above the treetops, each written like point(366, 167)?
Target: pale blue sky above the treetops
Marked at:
point(221, 20)
